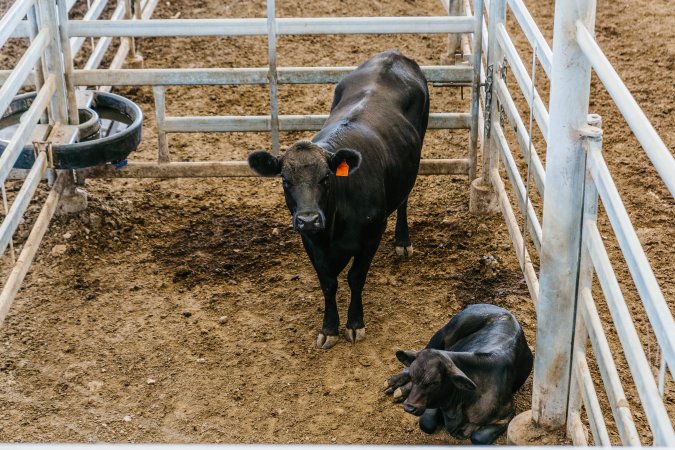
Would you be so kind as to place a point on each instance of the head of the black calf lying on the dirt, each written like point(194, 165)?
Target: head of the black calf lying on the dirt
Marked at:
point(435, 379)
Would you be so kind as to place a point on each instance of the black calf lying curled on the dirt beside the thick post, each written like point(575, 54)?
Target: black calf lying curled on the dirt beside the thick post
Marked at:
point(467, 374)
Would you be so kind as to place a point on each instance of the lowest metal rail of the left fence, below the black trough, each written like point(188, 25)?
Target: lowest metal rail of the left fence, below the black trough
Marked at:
point(30, 247)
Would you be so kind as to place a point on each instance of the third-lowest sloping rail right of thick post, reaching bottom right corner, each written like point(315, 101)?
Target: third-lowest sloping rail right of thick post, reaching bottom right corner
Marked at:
point(656, 413)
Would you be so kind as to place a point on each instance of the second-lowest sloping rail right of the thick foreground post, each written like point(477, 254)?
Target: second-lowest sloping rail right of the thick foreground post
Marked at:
point(610, 376)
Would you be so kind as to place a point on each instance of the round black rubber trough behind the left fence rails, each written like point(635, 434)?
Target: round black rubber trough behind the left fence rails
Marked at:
point(109, 131)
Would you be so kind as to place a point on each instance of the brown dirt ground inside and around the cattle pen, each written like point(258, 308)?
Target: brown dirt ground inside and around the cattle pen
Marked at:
point(186, 310)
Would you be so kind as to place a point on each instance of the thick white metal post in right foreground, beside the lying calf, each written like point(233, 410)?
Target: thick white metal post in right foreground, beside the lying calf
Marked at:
point(561, 231)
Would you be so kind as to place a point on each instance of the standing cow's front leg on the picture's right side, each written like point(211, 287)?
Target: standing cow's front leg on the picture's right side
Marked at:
point(355, 329)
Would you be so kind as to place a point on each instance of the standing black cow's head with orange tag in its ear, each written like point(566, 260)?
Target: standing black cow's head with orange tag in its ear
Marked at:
point(307, 172)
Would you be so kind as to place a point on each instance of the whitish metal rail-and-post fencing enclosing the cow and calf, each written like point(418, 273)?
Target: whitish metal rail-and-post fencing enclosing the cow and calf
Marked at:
point(565, 243)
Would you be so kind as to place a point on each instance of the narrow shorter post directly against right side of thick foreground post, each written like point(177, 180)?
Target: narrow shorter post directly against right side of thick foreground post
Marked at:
point(593, 137)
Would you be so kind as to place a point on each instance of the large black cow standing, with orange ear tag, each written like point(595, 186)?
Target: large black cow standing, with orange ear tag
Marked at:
point(376, 124)
